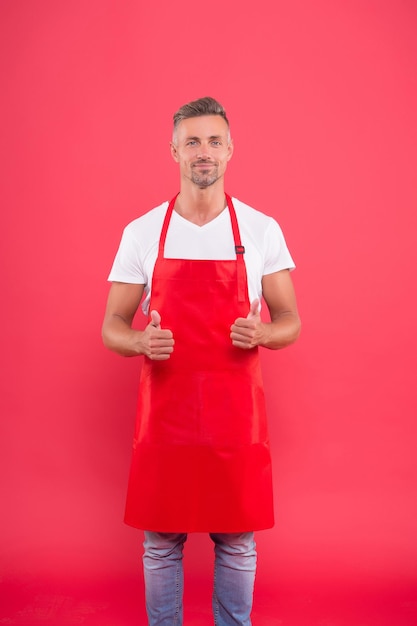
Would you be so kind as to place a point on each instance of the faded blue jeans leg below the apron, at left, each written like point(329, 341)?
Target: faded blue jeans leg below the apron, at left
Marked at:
point(164, 579)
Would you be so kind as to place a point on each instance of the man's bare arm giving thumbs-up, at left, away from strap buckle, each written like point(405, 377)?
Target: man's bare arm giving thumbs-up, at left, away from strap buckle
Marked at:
point(118, 334)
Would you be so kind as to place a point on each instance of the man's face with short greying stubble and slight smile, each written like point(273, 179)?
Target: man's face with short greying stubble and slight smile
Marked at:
point(202, 148)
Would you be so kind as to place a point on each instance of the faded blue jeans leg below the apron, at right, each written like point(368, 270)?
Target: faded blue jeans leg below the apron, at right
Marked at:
point(234, 578)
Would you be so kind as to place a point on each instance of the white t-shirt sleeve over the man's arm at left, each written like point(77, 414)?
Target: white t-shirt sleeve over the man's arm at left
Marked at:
point(127, 266)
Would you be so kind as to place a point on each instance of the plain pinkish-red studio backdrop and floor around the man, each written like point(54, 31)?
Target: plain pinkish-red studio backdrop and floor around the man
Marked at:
point(322, 98)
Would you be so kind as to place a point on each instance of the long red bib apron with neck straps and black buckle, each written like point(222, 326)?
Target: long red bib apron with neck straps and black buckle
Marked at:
point(201, 459)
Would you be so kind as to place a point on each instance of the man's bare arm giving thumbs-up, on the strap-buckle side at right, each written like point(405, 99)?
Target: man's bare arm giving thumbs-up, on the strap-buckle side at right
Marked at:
point(284, 326)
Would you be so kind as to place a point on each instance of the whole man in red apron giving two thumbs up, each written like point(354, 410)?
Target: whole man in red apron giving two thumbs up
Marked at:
point(201, 460)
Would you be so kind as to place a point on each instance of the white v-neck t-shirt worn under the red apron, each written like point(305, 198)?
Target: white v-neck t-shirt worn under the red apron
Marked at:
point(265, 248)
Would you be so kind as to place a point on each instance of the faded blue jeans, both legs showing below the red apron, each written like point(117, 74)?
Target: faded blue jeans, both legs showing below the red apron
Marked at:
point(234, 577)
